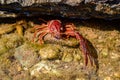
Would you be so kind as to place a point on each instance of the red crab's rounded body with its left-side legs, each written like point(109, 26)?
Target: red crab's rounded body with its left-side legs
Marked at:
point(52, 27)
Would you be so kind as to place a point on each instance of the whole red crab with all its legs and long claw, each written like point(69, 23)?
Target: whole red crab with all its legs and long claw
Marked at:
point(55, 28)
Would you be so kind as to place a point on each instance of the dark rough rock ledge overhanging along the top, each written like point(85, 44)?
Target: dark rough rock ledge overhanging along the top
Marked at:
point(84, 9)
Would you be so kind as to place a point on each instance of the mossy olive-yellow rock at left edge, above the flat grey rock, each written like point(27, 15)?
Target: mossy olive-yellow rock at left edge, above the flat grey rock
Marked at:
point(10, 41)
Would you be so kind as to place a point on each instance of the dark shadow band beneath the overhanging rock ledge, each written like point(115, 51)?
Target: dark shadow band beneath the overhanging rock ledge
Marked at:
point(101, 24)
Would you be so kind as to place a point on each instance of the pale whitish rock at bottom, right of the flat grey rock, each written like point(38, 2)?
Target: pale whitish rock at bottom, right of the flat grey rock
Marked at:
point(44, 67)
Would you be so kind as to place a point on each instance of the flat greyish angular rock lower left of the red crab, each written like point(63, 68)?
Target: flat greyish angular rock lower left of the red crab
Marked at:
point(26, 55)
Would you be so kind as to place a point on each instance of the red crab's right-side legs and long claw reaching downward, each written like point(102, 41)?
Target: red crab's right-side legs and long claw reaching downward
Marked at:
point(70, 31)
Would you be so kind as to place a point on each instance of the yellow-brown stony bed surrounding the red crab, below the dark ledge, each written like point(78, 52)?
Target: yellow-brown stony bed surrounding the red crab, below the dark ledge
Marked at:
point(22, 59)
